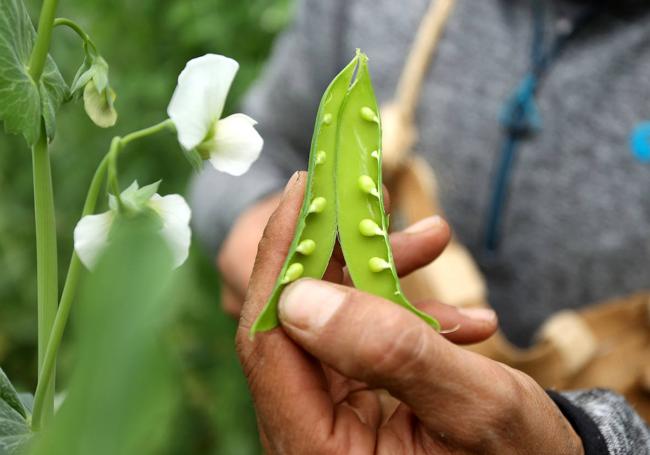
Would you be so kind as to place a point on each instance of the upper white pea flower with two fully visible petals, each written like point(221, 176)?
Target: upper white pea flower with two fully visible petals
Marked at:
point(231, 144)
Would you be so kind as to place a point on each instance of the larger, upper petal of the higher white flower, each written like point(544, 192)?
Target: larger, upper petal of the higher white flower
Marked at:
point(199, 97)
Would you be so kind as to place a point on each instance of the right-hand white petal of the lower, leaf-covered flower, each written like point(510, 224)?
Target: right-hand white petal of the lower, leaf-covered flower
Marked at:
point(175, 214)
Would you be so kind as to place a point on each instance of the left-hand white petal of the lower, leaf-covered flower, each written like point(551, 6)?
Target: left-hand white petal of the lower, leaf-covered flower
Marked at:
point(91, 237)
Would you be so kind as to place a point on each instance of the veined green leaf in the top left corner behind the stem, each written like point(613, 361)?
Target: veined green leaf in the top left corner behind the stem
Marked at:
point(23, 103)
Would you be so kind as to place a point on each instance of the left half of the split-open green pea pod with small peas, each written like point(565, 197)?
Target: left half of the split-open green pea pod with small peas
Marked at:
point(315, 232)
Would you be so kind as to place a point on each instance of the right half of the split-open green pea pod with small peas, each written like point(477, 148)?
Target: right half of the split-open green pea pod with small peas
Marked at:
point(359, 201)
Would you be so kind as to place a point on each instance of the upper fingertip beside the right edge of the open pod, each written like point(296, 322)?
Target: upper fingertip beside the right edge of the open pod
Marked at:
point(419, 244)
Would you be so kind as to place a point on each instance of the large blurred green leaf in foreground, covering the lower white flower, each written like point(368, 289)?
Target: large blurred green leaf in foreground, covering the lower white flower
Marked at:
point(123, 392)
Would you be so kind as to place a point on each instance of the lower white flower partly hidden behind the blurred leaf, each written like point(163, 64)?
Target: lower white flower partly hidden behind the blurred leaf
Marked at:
point(91, 235)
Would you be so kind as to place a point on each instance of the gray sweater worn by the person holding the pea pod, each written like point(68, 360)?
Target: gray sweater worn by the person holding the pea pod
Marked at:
point(576, 228)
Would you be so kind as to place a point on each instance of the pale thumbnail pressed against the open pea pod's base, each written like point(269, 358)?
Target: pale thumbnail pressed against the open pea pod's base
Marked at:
point(309, 304)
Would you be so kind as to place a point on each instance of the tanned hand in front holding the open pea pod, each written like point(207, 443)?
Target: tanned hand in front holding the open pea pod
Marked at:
point(319, 384)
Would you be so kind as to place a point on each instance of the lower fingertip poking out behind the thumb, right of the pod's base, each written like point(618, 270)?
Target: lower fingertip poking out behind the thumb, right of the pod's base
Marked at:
point(465, 325)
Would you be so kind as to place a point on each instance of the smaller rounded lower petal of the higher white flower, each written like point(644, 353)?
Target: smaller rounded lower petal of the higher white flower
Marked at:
point(236, 144)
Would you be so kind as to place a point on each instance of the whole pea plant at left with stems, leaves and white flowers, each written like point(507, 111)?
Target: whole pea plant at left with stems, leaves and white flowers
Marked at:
point(129, 249)
